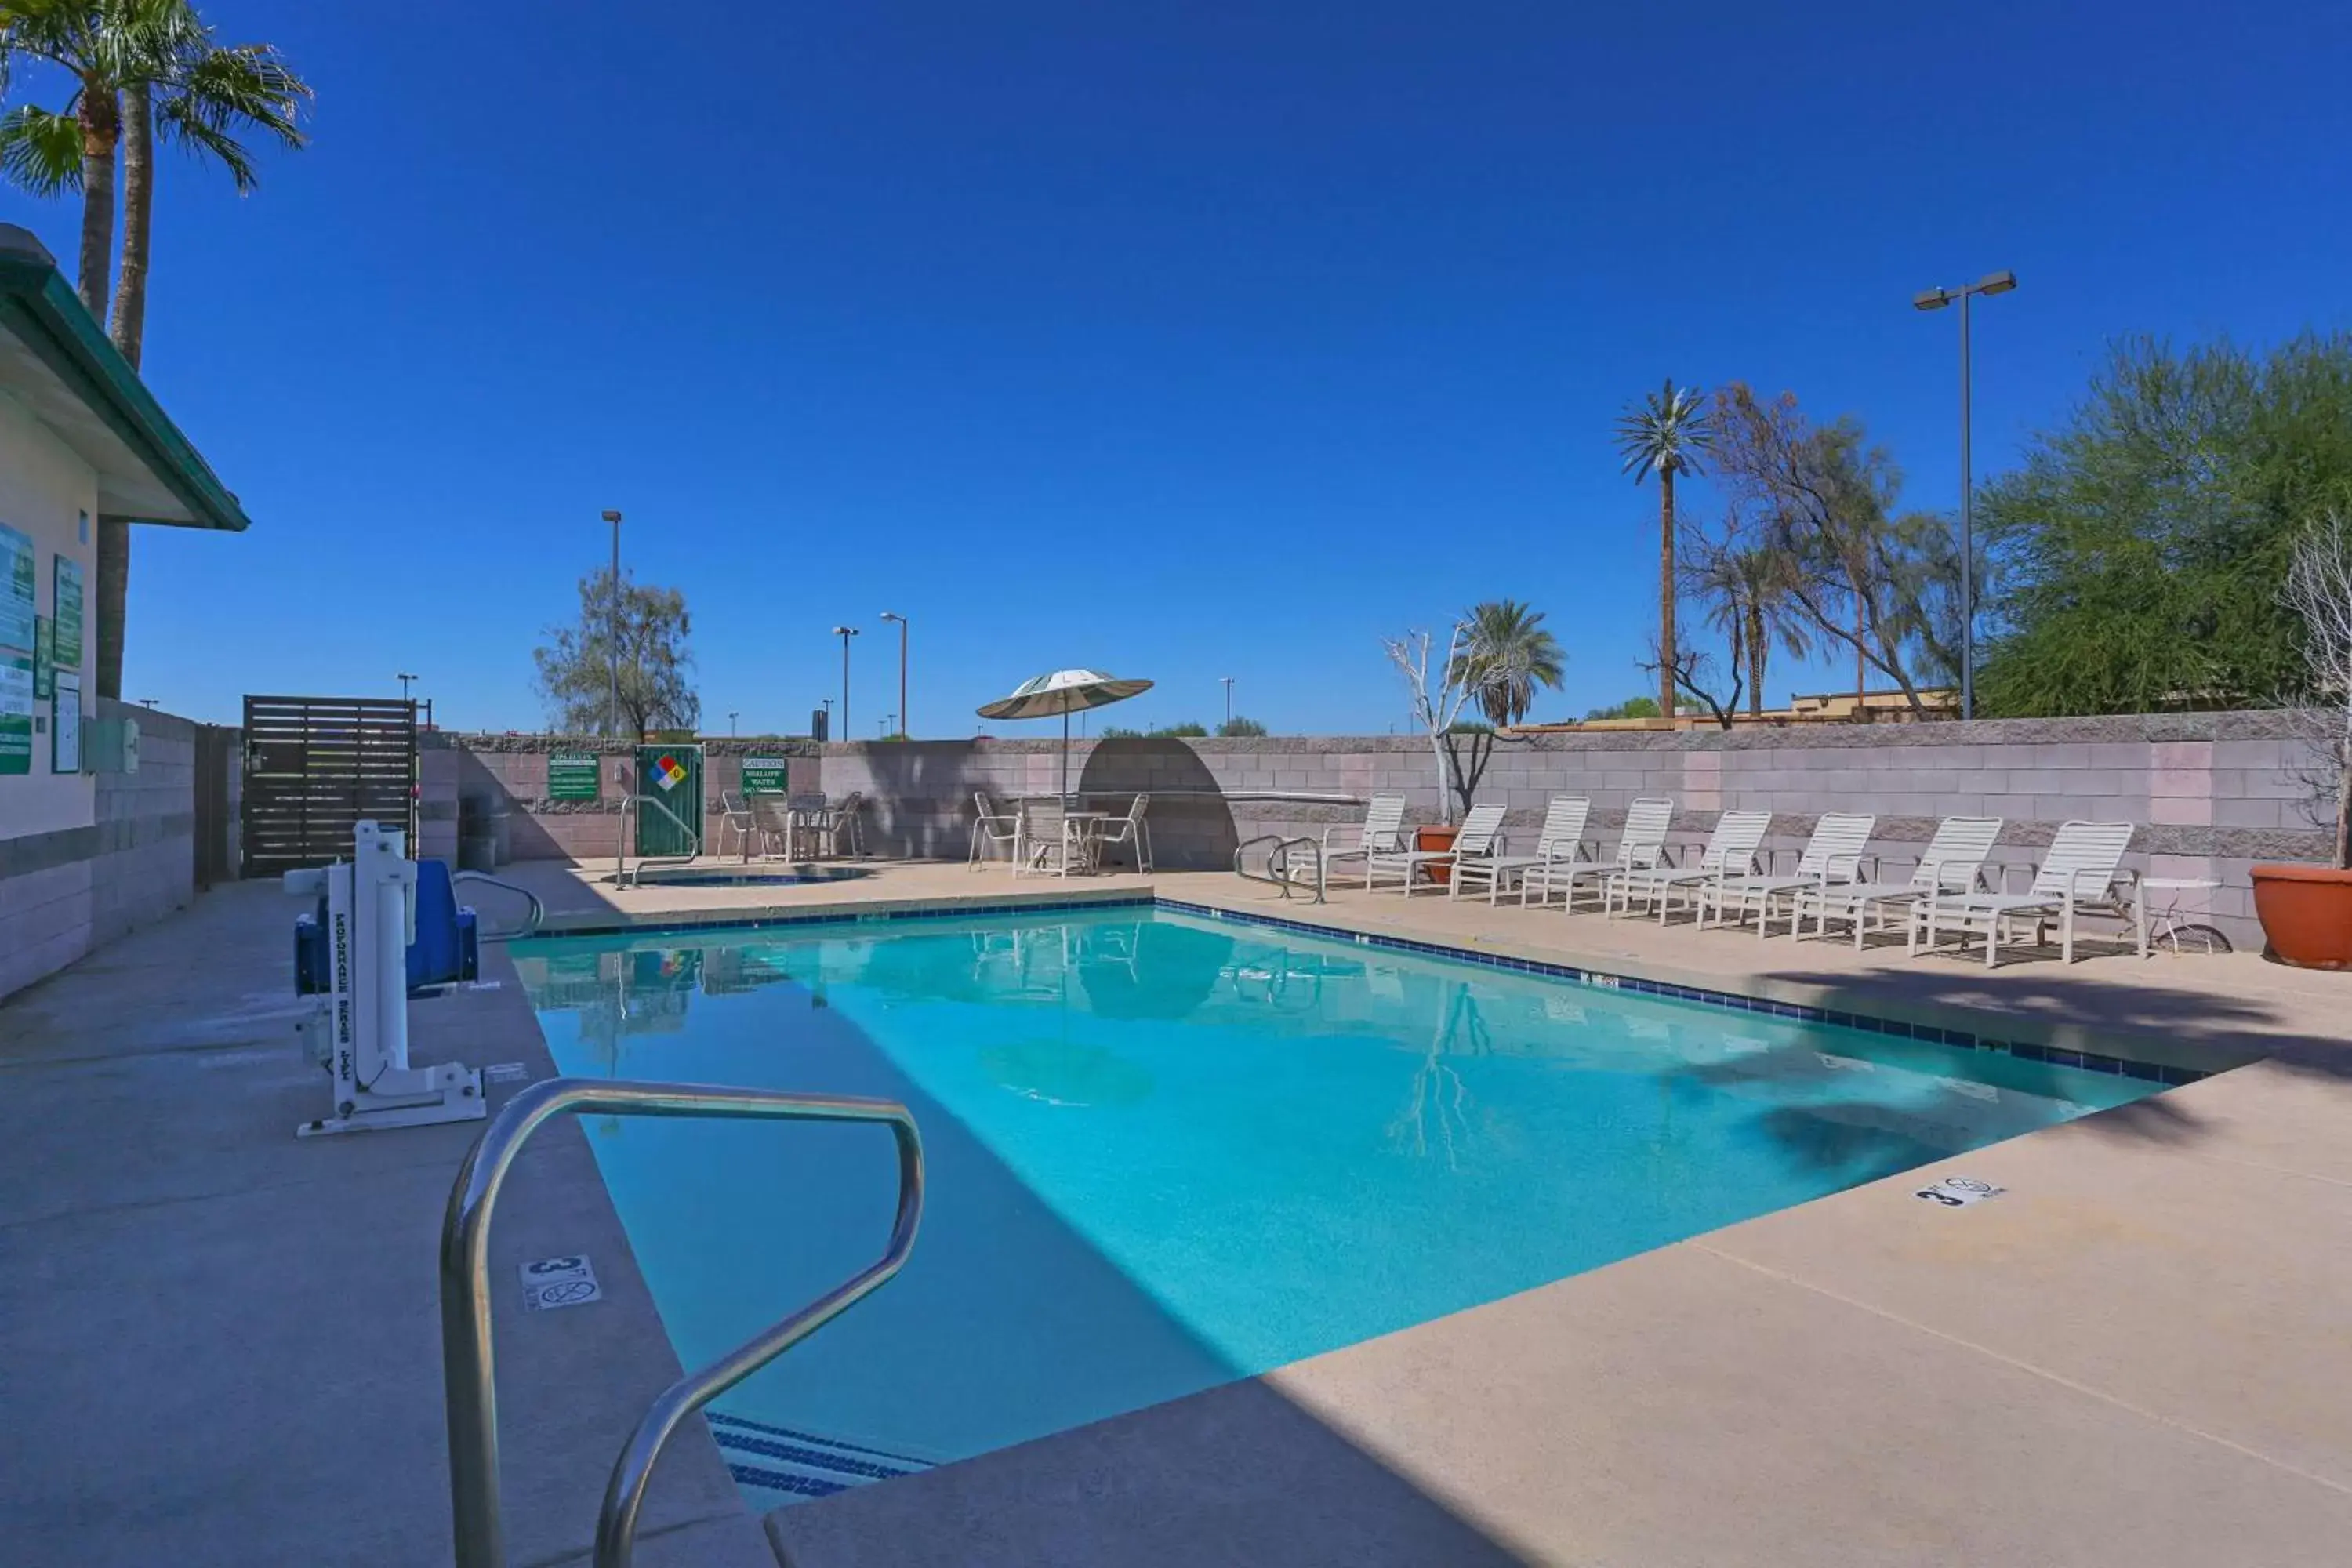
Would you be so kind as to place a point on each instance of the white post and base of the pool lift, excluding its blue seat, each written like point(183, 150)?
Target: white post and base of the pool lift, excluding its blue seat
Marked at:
point(359, 1028)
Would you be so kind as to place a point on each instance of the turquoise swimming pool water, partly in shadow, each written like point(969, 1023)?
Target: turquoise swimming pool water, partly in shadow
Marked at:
point(1168, 1153)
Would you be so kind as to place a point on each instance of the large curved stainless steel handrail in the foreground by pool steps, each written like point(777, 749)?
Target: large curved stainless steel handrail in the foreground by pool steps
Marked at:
point(469, 1372)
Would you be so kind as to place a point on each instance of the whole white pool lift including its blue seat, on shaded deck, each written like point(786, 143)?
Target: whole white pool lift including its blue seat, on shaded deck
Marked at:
point(359, 960)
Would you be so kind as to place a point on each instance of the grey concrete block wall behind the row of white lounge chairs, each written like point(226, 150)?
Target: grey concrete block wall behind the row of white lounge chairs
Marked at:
point(2214, 793)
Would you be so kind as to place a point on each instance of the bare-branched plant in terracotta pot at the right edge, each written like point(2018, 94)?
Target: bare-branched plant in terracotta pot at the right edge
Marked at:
point(2306, 911)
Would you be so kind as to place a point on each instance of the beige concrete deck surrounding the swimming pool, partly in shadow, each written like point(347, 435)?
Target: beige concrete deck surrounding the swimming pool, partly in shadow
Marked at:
point(2139, 1355)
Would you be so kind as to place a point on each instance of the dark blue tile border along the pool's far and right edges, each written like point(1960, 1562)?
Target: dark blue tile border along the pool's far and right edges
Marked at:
point(2090, 1061)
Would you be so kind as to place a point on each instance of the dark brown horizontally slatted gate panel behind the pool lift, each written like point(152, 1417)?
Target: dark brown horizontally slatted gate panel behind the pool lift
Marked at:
point(319, 765)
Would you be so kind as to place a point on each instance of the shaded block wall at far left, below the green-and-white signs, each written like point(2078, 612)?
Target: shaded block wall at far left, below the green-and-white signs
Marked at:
point(65, 894)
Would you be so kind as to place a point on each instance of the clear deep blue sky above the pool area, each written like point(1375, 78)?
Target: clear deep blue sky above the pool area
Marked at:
point(1168, 337)
